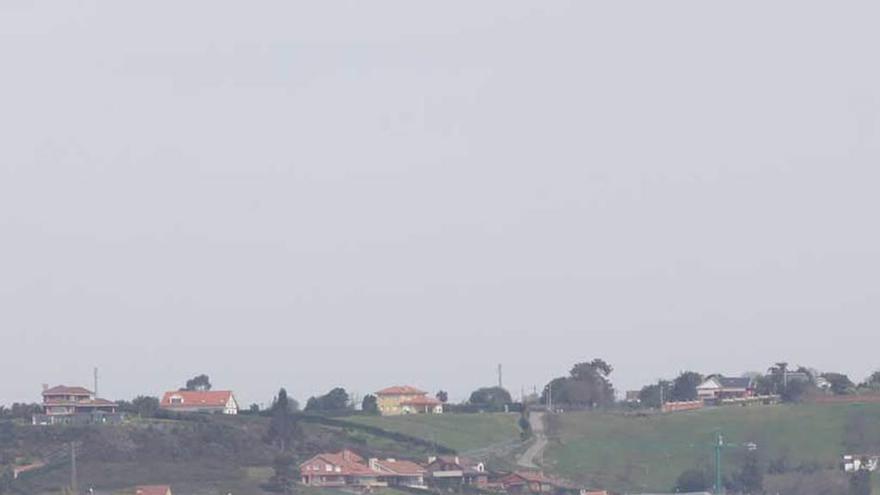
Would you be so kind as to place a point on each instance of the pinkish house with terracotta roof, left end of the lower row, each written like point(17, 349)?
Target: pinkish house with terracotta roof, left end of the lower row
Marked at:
point(344, 468)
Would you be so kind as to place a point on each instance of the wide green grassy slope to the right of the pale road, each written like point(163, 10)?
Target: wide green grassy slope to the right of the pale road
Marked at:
point(649, 452)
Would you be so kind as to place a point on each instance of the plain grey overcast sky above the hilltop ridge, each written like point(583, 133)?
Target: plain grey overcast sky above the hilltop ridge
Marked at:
point(314, 194)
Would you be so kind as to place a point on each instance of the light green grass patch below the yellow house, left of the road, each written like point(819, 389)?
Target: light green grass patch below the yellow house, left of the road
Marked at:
point(462, 432)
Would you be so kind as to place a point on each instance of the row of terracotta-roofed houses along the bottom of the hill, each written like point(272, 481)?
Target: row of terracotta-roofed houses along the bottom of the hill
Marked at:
point(347, 469)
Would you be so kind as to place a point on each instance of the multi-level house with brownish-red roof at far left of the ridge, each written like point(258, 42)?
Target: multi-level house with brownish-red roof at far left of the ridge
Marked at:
point(68, 405)
